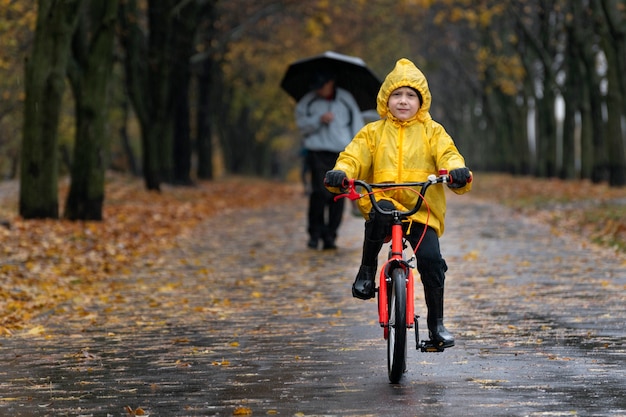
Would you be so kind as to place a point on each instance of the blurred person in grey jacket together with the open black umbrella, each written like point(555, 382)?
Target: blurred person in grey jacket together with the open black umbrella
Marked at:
point(331, 90)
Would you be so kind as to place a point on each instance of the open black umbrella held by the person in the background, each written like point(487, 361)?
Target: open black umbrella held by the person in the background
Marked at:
point(350, 72)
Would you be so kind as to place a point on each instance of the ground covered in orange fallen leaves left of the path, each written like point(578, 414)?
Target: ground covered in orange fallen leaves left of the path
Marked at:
point(49, 265)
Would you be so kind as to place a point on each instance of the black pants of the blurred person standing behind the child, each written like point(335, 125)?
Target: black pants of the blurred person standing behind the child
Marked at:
point(324, 214)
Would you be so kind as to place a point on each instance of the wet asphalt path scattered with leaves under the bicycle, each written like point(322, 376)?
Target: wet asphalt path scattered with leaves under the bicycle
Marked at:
point(253, 322)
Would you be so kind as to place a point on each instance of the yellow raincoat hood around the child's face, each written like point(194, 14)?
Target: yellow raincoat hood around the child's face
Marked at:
point(404, 74)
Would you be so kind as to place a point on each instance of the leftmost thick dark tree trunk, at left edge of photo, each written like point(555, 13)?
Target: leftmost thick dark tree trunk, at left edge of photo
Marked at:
point(44, 86)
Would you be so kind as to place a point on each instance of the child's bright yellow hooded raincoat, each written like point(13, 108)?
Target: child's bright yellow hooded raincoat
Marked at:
point(389, 150)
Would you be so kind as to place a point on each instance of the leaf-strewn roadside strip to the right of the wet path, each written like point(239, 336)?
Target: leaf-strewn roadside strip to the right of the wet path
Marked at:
point(596, 212)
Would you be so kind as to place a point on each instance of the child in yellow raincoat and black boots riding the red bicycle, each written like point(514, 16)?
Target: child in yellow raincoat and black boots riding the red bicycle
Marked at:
point(406, 145)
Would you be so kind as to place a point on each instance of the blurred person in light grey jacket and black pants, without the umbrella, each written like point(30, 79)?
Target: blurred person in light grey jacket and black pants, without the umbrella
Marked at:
point(328, 117)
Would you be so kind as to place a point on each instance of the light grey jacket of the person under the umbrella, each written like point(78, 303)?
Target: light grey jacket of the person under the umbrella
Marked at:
point(332, 137)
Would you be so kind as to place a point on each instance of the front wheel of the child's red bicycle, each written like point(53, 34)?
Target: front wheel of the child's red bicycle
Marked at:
point(396, 342)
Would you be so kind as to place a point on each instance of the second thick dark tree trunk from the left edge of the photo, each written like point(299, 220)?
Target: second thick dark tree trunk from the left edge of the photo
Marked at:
point(89, 76)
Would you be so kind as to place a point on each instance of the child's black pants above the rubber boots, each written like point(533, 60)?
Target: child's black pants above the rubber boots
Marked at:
point(430, 264)
